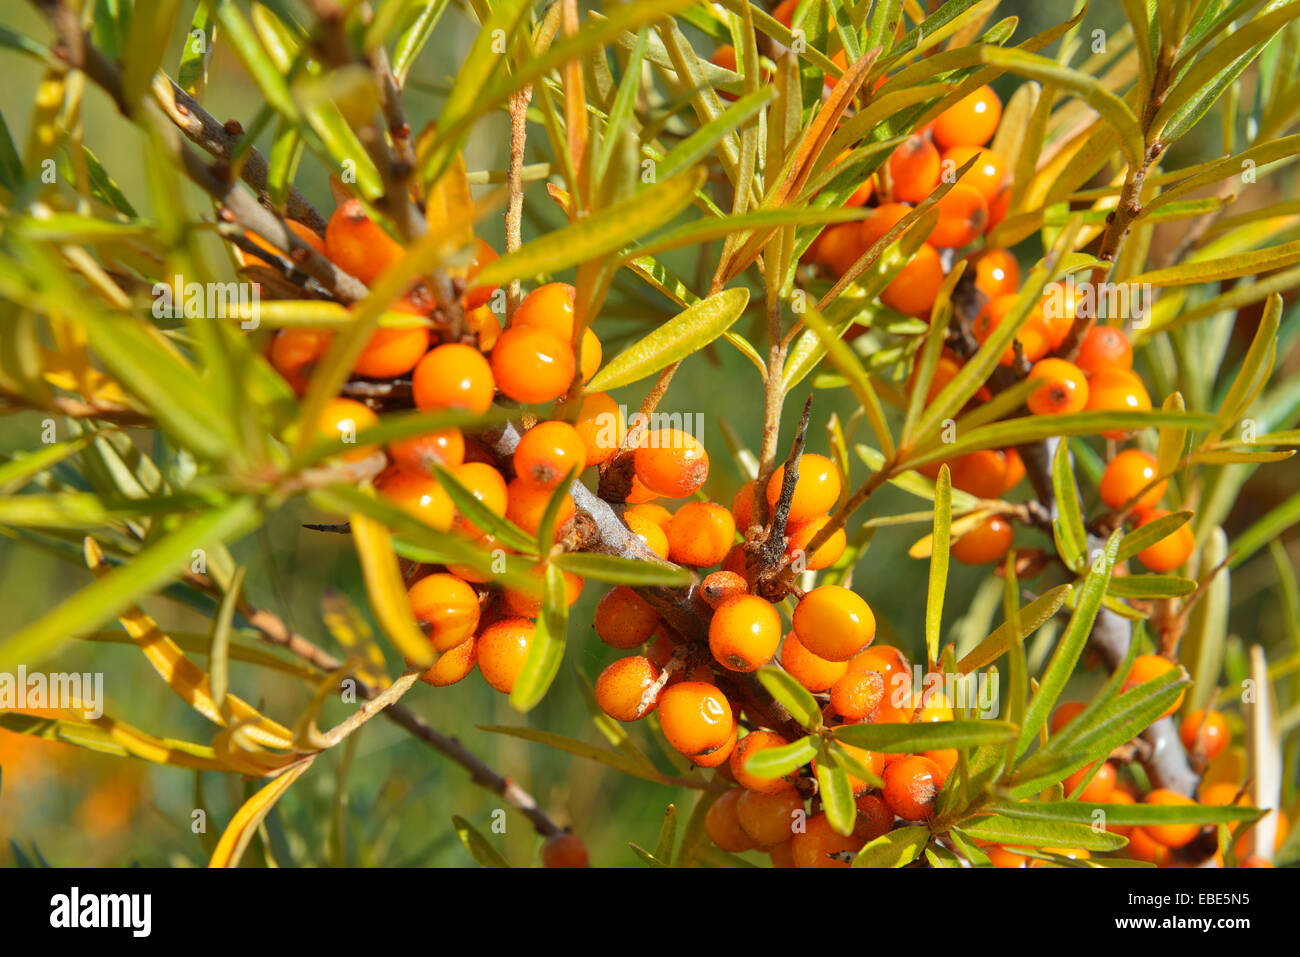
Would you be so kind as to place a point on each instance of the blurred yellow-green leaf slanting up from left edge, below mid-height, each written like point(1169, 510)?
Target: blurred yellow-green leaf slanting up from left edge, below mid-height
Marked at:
point(148, 571)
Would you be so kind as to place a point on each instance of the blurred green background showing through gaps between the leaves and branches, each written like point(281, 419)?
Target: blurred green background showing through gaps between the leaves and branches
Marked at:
point(398, 799)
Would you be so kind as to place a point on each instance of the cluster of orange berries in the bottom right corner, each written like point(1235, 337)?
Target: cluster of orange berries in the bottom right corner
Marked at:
point(1204, 734)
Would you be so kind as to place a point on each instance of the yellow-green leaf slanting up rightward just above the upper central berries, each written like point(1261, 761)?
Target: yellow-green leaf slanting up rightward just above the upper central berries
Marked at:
point(596, 236)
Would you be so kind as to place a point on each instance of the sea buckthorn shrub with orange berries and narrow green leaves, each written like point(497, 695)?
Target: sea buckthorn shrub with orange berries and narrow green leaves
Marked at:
point(857, 434)
